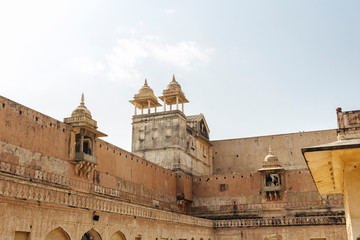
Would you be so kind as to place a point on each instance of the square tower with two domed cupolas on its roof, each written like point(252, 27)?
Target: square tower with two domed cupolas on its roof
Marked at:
point(170, 138)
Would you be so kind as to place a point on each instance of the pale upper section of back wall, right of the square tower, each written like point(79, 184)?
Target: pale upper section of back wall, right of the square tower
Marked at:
point(246, 154)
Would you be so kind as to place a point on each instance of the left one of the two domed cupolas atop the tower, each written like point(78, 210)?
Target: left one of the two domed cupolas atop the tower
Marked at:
point(145, 99)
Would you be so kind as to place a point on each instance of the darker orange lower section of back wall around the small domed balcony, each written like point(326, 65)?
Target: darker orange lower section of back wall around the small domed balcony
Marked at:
point(242, 194)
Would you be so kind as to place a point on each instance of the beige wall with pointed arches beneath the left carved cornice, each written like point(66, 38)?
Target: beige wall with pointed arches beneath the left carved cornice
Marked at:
point(40, 219)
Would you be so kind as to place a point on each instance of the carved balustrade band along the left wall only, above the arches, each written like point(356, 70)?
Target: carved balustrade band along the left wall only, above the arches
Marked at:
point(12, 187)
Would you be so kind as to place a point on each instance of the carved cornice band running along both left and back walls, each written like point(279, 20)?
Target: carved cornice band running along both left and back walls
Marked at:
point(102, 200)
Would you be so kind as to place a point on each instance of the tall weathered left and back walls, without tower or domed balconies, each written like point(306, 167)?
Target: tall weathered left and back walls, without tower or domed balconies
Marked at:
point(40, 191)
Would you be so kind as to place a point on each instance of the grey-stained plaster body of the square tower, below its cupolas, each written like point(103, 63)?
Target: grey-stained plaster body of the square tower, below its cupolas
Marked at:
point(163, 139)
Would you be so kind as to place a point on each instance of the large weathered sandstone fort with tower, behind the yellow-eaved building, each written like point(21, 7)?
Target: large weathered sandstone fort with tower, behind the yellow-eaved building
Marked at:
point(61, 180)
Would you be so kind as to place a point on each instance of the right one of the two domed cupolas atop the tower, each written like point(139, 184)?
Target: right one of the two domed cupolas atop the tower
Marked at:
point(173, 95)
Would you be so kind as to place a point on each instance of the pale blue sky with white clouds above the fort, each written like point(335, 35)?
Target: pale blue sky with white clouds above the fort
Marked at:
point(252, 67)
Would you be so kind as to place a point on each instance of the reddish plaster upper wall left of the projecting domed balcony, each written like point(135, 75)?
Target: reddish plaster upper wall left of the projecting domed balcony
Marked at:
point(26, 128)
